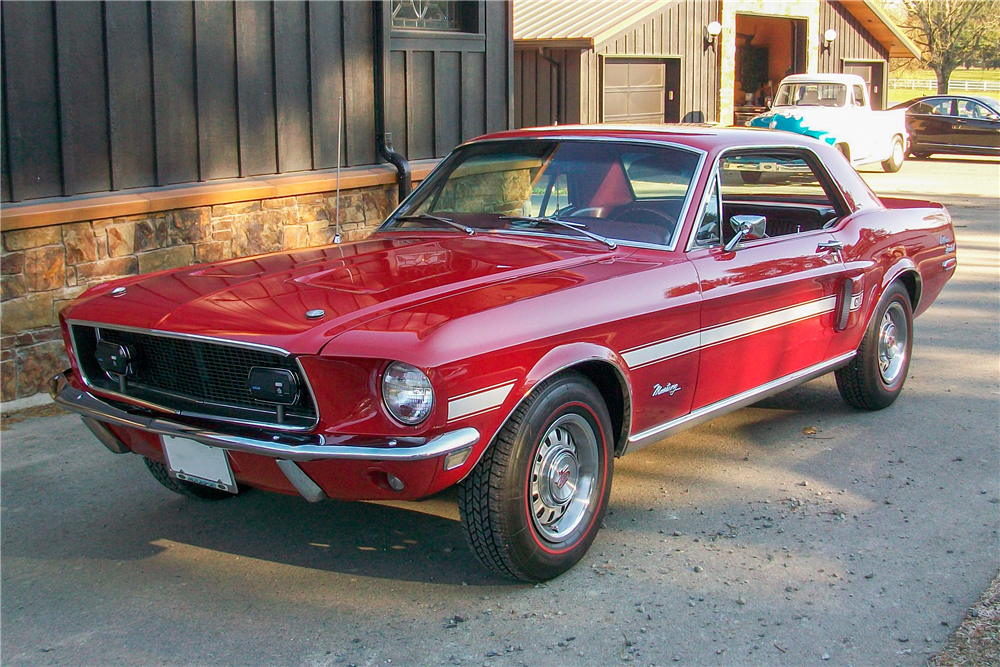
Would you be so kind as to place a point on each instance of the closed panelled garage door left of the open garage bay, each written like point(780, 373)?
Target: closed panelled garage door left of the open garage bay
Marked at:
point(636, 91)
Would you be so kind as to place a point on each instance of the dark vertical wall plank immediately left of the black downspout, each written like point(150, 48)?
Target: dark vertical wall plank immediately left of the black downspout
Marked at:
point(359, 94)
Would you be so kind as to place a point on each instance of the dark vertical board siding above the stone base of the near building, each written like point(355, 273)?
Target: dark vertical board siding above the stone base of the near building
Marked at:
point(107, 96)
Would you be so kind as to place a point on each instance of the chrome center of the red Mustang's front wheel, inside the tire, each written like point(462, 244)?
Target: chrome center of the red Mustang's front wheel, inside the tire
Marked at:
point(562, 477)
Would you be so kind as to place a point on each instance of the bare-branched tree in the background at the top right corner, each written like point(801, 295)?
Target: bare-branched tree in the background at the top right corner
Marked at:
point(951, 32)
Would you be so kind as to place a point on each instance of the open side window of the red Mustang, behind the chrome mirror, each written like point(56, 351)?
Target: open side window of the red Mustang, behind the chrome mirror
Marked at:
point(781, 185)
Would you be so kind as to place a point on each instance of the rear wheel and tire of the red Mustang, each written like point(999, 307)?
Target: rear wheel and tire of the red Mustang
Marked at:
point(875, 377)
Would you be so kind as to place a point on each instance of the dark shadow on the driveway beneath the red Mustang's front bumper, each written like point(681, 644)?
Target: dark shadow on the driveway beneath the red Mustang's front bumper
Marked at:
point(411, 541)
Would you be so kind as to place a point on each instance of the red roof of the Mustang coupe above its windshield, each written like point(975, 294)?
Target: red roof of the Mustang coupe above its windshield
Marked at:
point(702, 137)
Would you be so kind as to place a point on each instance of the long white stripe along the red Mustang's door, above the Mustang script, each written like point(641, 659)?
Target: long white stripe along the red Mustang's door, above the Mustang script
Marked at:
point(649, 354)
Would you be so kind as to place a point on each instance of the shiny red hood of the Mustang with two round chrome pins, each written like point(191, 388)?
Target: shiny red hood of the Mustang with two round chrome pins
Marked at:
point(264, 299)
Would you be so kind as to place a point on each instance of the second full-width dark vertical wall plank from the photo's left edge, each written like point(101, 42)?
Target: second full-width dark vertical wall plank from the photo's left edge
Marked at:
point(83, 100)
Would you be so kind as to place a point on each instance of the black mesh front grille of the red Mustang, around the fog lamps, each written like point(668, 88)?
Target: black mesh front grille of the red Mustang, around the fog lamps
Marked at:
point(193, 376)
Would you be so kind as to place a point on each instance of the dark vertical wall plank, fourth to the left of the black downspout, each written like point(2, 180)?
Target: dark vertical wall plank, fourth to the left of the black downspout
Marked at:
point(255, 85)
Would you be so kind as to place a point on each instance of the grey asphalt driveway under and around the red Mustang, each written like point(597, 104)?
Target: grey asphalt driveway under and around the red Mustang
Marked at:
point(795, 532)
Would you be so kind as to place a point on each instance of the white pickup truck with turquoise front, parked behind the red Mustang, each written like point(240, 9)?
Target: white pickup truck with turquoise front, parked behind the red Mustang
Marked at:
point(836, 109)
